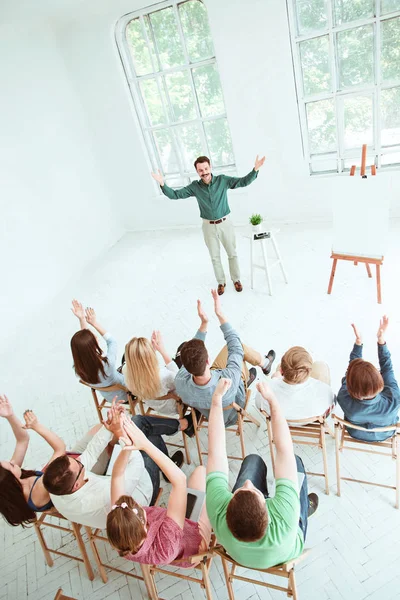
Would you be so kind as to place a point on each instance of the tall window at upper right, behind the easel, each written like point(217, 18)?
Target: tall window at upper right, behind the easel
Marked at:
point(346, 56)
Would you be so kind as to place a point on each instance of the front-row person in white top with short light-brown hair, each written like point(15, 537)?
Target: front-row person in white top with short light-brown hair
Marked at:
point(301, 386)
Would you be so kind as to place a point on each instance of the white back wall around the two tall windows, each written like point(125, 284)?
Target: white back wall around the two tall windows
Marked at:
point(254, 57)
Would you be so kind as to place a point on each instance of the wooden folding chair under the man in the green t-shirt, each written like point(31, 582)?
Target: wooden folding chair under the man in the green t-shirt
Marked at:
point(285, 570)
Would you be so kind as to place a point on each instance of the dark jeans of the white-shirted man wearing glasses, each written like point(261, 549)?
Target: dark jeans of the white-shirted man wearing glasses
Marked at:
point(154, 428)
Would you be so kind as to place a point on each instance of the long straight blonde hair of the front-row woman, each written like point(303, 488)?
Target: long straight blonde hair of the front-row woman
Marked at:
point(142, 375)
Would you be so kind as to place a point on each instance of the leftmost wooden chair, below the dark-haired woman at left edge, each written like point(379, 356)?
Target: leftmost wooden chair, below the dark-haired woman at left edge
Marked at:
point(44, 520)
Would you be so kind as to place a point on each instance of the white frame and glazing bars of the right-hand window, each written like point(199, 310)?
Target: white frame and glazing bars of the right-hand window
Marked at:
point(377, 150)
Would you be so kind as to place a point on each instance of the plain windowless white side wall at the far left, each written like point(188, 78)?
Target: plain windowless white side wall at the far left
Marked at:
point(55, 214)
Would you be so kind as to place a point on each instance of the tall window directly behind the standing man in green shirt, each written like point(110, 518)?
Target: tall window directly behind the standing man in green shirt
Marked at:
point(169, 60)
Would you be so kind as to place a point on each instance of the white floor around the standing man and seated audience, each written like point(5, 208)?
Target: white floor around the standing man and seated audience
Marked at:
point(152, 280)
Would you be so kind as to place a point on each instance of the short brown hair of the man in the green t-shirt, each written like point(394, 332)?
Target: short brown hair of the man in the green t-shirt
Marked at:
point(246, 517)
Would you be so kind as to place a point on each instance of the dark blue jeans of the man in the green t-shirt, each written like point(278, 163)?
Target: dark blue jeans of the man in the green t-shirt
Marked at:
point(254, 468)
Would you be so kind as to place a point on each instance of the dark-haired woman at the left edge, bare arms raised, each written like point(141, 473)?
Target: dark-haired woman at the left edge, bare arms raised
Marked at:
point(22, 493)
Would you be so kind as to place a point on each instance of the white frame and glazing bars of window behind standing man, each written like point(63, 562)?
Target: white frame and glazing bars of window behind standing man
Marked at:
point(142, 117)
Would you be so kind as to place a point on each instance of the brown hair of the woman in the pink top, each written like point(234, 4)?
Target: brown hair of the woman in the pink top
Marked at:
point(126, 530)
